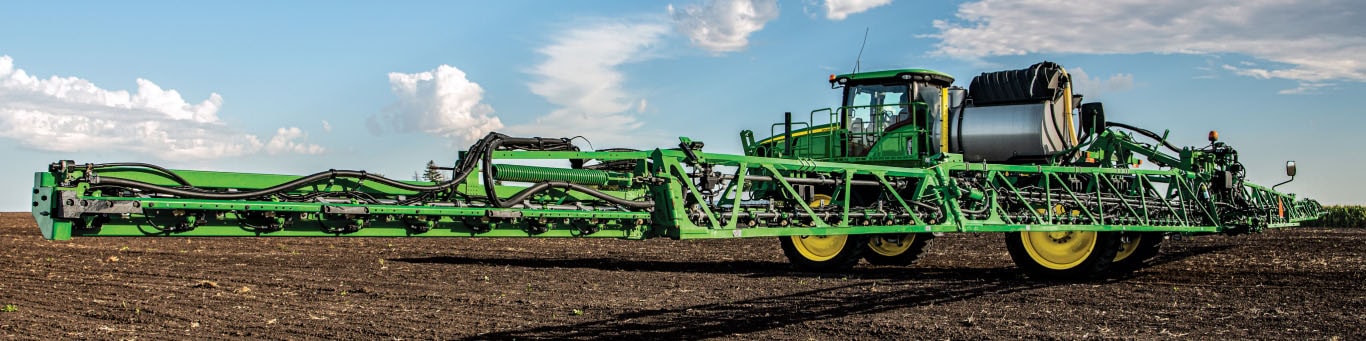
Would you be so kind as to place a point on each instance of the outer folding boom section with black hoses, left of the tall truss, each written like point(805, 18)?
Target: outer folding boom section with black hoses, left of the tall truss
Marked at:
point(140, 200)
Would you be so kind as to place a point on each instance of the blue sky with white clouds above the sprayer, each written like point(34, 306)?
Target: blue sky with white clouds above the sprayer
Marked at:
point(386, 87)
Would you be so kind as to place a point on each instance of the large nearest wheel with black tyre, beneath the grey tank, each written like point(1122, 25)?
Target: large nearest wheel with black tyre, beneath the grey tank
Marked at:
point(1063, 254)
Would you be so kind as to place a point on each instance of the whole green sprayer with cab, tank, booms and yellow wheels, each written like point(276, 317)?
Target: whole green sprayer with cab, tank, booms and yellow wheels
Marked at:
point(905, 155)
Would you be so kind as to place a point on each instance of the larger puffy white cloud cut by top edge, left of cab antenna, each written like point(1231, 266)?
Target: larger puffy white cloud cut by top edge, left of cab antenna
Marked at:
point(723, 25)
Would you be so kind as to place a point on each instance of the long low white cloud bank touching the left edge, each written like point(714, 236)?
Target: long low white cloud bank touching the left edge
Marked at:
point(68, 114)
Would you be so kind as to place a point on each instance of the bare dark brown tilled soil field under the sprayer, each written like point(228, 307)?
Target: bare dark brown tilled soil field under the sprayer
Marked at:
point(1290, 284)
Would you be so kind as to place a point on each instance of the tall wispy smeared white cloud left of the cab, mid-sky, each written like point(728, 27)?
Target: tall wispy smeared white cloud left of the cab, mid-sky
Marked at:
point(581, 77)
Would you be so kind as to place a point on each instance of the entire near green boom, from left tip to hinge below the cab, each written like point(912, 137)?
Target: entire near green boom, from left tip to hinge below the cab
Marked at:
point(665, 193)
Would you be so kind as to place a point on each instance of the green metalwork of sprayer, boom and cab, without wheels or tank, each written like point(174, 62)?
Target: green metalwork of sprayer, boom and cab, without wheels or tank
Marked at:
point(767, 193)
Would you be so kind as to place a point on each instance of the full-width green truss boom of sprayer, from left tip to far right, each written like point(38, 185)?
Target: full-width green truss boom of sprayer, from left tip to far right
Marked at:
point(684, 209)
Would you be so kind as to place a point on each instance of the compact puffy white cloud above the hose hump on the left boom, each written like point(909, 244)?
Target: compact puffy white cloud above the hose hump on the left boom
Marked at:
point(442, 102)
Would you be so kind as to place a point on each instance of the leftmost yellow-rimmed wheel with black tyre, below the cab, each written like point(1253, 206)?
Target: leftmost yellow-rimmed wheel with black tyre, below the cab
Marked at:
point(824, 253)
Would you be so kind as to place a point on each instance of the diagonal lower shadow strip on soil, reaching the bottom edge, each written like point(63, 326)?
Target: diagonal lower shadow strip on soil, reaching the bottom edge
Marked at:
point(719, 320)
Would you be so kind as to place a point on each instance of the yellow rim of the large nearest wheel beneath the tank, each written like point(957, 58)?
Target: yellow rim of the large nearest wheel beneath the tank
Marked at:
point(1059, 250)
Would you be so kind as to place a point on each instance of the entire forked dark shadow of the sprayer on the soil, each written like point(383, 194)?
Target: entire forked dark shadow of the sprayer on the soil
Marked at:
point(919, 288)
